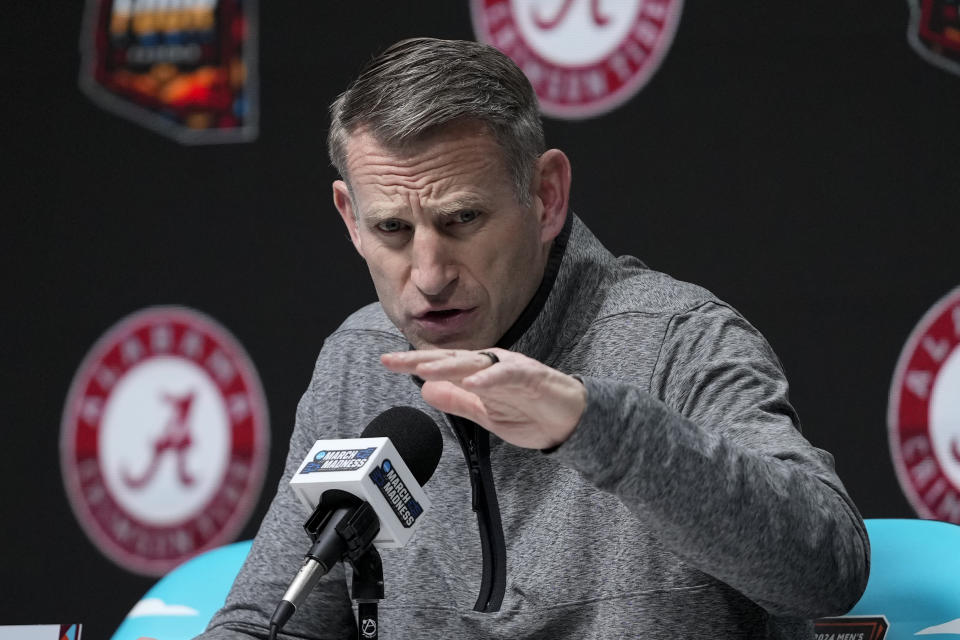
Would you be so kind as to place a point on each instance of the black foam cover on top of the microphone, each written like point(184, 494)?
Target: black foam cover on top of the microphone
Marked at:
point(415, 436)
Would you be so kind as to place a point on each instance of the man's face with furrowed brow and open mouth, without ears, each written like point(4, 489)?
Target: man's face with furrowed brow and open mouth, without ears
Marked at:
point(453, 255)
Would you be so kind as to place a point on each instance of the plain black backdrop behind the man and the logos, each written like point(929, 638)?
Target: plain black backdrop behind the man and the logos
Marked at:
point(799, 159)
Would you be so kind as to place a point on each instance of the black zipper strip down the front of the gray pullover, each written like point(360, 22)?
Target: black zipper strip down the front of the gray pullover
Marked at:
point(475, 443)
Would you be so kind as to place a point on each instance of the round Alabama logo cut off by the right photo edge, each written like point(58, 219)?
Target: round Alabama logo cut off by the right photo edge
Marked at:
point(924, 413)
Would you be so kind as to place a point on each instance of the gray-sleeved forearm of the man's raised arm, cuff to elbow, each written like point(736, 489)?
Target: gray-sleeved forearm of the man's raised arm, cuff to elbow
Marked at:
point(781, 530)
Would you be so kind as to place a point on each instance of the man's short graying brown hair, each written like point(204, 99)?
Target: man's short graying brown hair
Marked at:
point(419, 85)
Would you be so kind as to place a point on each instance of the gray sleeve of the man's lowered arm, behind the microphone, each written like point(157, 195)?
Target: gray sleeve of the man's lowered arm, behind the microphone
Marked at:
point(278, 548)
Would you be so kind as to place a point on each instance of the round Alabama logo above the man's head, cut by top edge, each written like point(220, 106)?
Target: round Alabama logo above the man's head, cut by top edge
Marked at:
point(583, 57)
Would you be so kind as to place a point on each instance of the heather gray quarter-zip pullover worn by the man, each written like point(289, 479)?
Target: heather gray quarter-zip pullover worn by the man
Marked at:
point(685, 505)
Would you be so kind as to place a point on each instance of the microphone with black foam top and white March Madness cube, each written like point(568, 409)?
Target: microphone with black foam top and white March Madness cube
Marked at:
point(363, 491)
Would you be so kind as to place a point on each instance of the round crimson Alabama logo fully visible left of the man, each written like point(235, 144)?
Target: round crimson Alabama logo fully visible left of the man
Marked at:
point(164, 439)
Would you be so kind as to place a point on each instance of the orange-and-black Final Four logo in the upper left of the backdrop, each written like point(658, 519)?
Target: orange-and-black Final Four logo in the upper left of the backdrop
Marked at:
point(184, 68)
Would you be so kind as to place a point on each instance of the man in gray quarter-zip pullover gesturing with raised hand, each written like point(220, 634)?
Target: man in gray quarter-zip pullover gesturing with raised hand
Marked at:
point(623, 441)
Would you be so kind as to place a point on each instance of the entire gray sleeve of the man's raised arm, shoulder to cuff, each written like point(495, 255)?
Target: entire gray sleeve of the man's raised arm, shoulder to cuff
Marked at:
point(711, 453)
